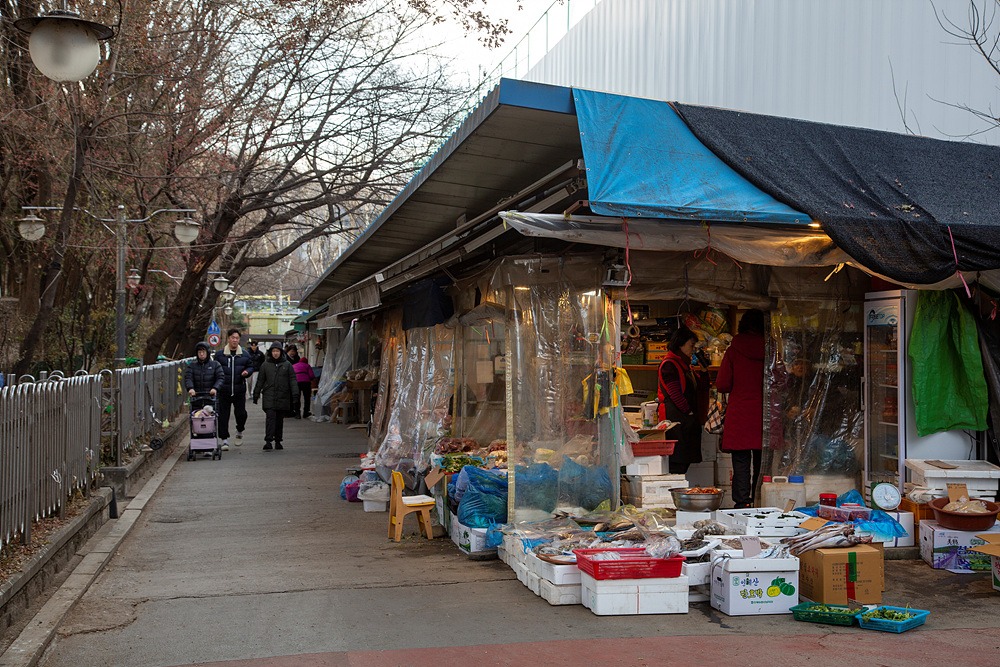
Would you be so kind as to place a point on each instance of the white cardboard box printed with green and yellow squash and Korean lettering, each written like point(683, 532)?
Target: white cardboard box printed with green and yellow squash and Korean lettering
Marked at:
point(747, 586)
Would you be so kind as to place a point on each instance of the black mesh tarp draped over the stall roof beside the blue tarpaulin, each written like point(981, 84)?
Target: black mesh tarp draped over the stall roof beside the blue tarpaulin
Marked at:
point(888, 200)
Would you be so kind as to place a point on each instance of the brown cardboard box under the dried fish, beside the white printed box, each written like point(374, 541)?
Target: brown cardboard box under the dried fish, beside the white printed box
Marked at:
point(831, 576)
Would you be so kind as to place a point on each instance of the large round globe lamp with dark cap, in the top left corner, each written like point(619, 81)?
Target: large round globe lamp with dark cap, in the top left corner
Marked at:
point(63, 46)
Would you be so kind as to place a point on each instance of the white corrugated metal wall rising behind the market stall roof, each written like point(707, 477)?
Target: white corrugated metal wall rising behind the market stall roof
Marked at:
point(835, 61)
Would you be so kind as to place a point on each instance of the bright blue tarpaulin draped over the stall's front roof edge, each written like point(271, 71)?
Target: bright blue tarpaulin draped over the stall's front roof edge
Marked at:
point(643, 161)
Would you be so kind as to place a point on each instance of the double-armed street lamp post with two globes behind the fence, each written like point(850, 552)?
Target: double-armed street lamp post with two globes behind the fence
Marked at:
point(32, 227)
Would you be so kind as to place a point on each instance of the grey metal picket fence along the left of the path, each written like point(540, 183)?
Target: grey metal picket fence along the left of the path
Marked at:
point(51, 435)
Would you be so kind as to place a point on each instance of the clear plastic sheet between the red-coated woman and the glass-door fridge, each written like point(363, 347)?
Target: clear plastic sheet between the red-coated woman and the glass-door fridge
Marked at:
point(814, 425)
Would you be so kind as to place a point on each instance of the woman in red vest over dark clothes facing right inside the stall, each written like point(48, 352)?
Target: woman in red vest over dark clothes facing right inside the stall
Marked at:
point(677, 392)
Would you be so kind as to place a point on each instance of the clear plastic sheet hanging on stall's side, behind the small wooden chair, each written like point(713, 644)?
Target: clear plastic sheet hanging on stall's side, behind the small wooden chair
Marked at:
point(420, 398)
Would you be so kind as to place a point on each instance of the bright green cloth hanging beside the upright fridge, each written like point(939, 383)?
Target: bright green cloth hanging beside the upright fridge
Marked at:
point(949, 385)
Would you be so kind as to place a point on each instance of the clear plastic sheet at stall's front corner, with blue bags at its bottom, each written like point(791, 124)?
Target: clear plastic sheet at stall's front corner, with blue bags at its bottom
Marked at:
point(559, 354)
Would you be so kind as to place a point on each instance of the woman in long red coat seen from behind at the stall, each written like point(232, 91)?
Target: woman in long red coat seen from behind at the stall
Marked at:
point(742, 377)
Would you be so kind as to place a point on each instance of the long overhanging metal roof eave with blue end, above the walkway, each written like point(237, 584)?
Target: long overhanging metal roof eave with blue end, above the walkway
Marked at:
point(516, 135)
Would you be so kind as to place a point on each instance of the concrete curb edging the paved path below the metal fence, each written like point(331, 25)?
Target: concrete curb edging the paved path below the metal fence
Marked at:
point(30, 645)
